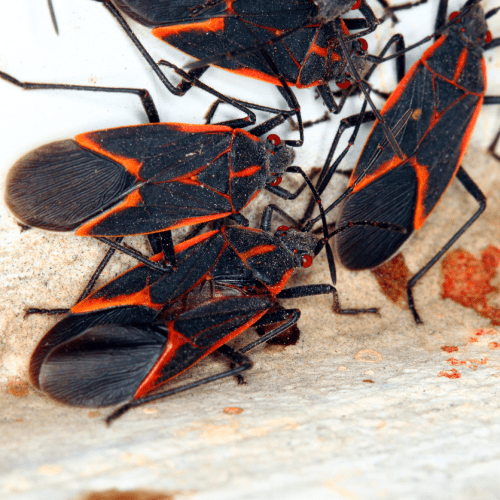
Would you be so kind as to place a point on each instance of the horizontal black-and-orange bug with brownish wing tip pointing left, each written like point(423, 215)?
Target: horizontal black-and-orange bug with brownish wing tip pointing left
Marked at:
point(145, 179)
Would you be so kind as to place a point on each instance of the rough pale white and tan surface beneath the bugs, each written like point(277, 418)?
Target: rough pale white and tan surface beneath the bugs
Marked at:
point(359, 408)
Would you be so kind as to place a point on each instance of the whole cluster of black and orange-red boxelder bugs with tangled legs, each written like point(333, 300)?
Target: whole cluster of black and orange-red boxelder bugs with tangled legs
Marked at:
point(121, 343)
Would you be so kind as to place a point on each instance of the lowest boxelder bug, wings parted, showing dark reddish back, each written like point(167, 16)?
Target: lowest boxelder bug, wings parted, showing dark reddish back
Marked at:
point(144, 328)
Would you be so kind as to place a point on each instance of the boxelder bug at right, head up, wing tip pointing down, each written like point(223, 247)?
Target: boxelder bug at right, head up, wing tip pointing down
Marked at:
point(446, 89)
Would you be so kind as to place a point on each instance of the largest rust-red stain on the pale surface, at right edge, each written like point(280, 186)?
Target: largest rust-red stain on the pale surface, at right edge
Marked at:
point(467, 280)
